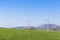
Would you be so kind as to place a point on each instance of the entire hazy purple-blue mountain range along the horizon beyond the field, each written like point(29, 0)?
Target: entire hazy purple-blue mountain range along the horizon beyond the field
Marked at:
point(41, 27)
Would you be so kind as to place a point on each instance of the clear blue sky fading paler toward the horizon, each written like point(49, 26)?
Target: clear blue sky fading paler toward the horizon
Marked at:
point(18, 12)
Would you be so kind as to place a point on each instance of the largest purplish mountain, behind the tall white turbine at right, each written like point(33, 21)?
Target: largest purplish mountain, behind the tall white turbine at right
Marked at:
point(49, 26)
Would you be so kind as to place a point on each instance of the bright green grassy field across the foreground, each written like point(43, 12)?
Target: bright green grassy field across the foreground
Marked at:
point(18, 34)
